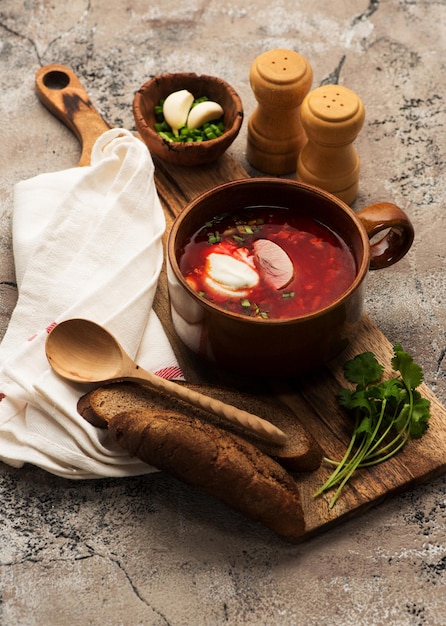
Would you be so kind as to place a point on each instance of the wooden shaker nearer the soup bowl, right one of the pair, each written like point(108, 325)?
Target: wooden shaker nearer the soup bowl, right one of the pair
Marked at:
point(332, 117)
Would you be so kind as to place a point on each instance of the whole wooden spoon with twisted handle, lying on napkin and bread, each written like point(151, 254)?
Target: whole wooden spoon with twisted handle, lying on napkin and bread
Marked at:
point(83, 351)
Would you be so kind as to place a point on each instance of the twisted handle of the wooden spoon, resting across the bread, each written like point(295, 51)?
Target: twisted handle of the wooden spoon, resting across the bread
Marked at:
point(257, 425)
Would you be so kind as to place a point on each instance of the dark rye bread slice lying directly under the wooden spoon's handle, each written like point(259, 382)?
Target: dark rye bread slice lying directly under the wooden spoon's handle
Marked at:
point(300, 453)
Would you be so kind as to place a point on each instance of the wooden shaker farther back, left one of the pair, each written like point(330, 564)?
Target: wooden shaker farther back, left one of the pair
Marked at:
point(280, 79)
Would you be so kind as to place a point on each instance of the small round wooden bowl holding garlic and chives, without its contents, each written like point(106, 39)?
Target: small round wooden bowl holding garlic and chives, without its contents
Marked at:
point(189, 154)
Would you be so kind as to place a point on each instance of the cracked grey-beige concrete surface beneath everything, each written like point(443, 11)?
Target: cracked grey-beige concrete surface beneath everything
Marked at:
point(150, 550)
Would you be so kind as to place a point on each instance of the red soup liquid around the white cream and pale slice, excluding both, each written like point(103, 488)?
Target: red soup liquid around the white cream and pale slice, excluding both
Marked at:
point(324, 266)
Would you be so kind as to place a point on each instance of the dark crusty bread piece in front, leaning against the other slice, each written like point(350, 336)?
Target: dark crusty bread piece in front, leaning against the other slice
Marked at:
point(217, 461)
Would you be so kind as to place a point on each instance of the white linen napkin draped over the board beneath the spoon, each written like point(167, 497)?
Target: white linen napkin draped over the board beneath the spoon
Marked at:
point(87, 243)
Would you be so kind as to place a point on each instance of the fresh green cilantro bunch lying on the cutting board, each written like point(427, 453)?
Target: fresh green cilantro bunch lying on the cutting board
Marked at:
point(387, 414)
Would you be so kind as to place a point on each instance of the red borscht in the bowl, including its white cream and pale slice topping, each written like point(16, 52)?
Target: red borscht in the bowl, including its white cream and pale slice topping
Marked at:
point(268, 263)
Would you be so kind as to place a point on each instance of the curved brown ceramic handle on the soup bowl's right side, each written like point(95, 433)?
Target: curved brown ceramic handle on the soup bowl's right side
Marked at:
point(397, 233)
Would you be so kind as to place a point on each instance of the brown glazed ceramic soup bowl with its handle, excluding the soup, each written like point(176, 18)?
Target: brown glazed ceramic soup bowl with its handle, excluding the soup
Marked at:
point(377, 236)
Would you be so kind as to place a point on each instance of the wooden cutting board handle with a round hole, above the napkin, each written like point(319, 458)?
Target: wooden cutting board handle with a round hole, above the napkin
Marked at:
point(61, 92)
